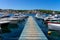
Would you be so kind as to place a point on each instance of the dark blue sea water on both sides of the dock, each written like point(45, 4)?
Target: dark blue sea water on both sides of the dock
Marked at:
point(16, 29)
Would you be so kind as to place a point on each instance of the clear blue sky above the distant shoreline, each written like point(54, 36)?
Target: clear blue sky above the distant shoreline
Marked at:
point(30, 4)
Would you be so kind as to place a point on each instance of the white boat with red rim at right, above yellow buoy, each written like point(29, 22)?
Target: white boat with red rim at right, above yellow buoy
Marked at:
point(53, 25)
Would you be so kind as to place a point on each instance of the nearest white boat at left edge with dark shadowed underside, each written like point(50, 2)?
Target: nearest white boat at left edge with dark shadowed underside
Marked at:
point(4, 26)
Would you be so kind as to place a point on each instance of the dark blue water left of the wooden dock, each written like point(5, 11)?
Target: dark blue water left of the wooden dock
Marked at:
point(15, 29)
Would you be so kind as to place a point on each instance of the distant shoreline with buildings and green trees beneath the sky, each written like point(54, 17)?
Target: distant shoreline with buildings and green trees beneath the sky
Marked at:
point(28, 11)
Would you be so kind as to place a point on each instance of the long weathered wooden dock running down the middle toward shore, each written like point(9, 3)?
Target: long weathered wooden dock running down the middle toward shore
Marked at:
point(32, 31)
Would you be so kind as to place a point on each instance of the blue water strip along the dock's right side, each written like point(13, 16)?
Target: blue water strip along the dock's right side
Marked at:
point(41, 23)
